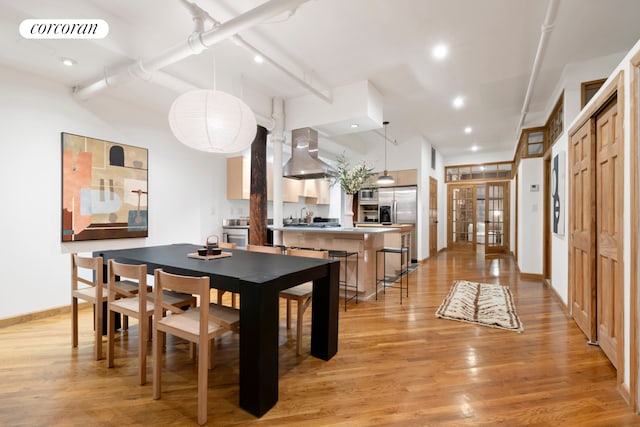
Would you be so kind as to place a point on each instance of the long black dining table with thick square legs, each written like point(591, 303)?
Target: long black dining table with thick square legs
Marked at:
point(258, 278)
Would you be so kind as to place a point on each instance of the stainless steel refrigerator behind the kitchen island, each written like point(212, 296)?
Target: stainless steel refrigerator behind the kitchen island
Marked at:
point(399, 205)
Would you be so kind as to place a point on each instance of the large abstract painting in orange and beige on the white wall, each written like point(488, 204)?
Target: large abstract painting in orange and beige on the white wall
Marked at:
point(104, 189)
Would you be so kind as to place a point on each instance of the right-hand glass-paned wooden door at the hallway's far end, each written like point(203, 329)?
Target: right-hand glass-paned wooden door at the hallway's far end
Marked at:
point(496, 217)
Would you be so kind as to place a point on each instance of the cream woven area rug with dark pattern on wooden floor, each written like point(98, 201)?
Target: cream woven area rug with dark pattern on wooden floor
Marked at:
point(482, 304)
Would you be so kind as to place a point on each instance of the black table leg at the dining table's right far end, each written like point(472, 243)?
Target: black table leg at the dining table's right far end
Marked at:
point(324, 314)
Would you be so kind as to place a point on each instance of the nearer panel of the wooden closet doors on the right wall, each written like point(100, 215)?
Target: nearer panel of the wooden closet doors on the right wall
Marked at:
point(609, 196)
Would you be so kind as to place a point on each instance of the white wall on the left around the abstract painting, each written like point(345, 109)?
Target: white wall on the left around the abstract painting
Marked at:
point(186, 188)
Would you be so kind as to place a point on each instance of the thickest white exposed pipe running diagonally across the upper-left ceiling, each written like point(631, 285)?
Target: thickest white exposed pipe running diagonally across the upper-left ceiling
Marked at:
point(196, 43)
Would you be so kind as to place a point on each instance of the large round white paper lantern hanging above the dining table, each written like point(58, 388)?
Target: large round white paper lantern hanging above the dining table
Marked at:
point(212, 121)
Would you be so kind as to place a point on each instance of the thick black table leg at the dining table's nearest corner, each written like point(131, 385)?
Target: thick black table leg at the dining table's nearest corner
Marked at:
point(258, 348)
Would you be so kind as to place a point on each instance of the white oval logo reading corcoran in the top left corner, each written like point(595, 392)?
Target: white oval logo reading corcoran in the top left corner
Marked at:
point(64, 28)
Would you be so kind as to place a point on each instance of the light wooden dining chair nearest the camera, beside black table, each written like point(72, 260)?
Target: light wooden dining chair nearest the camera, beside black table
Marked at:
point(194, 325)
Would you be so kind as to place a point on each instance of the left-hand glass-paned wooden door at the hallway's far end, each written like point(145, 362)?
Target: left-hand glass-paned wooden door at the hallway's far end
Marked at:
point(461, 221)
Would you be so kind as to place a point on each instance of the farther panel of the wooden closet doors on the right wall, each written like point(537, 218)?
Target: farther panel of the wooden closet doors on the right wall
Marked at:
point(582, 290)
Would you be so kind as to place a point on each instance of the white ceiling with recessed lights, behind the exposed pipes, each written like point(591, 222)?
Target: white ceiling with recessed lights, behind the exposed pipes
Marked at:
point(332, 43)
